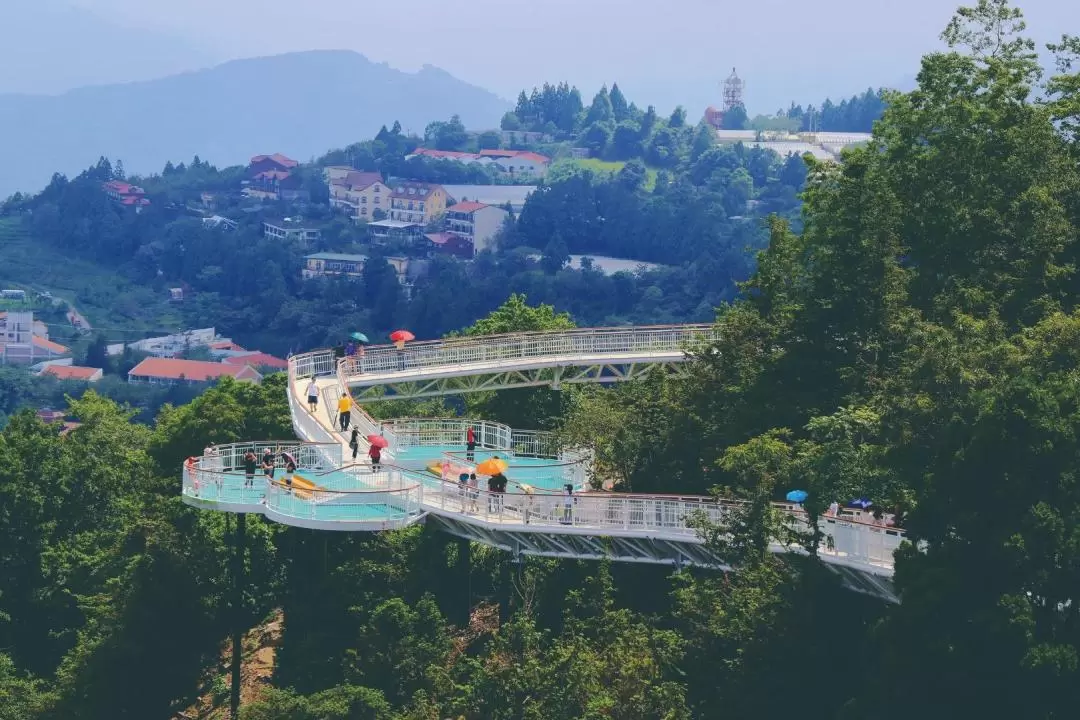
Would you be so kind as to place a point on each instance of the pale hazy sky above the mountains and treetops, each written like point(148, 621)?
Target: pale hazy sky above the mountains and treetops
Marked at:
point(661, 53)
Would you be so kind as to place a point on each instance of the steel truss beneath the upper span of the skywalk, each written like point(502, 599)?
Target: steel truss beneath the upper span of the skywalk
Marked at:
point(506, 379)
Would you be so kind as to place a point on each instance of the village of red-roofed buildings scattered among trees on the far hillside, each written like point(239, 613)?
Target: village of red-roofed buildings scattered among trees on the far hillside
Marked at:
point(406, 200)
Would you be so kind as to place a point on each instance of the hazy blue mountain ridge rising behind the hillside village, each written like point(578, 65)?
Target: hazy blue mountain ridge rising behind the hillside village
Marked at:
point(300, 104)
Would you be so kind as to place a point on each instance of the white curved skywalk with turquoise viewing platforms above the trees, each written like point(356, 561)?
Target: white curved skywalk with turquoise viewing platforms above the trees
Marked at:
point(530, 520)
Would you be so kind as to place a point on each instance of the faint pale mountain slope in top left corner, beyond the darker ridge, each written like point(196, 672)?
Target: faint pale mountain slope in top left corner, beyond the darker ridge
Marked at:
point(50, 47)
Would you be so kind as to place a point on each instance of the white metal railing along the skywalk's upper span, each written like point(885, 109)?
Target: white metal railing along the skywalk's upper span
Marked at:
point(586, 343)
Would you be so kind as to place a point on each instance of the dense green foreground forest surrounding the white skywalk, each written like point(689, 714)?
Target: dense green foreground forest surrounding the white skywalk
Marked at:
point(916, 343)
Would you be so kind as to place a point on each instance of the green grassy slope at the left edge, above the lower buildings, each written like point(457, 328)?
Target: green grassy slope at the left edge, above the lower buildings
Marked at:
point(112, 304)
